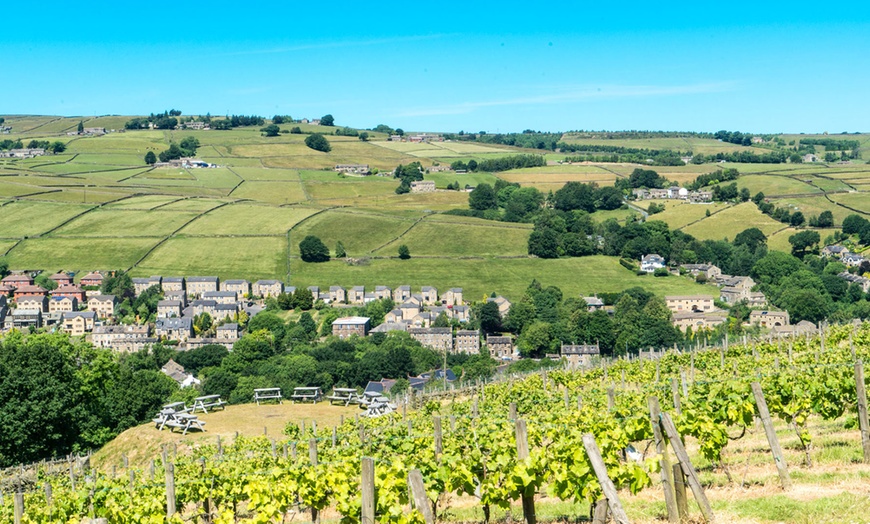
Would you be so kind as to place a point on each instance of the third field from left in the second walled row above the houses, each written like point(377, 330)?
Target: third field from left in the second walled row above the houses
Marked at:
point(248, 219)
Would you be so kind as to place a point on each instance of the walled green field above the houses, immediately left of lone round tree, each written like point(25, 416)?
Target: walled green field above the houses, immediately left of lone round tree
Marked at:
point(226, 257)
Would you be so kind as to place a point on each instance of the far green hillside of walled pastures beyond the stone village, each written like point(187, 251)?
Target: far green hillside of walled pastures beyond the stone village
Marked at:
point(99, 206)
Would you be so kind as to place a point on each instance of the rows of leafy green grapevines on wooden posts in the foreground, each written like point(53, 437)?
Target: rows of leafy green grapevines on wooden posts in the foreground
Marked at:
point(599, 437)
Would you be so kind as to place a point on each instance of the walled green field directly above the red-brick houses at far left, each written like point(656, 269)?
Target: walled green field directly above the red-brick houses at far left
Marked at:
point(75, 254)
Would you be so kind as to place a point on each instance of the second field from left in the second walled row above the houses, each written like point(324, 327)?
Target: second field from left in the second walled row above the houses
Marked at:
point(125, 223)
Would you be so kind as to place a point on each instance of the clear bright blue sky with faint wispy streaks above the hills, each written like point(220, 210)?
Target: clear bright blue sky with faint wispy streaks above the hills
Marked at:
point(449, 66)
